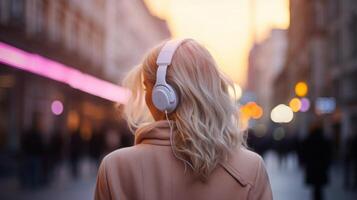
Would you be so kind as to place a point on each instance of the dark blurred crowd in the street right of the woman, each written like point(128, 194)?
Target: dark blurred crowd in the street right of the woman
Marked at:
point(316, 153)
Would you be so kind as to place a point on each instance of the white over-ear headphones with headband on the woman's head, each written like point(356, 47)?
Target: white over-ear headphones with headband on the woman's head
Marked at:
point(164, 95)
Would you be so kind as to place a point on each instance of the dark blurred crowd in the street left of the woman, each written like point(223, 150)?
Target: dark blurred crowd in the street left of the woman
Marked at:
point(40, 158)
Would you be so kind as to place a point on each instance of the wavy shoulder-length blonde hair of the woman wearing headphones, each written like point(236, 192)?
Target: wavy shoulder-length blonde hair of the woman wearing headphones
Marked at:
point(206, 118)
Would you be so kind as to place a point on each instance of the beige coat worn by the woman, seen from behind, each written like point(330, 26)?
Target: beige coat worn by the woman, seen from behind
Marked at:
point(149, 171)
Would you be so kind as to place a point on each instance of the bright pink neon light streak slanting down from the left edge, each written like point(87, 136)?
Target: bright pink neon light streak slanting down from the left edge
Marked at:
point(39, 65)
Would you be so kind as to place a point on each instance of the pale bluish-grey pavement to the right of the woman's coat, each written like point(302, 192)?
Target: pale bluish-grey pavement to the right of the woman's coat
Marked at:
point(287, 181)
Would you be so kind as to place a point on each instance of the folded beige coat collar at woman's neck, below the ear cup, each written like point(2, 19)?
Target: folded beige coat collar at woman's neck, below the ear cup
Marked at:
point(156, 133)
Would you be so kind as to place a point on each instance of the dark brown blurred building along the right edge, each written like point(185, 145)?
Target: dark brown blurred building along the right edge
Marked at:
point(322, 52)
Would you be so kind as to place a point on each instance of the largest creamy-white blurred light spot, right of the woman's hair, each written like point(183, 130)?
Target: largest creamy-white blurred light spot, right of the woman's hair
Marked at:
point(281, 114)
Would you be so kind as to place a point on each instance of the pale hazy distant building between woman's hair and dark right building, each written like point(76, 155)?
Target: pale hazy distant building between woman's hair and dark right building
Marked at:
point(266, 60)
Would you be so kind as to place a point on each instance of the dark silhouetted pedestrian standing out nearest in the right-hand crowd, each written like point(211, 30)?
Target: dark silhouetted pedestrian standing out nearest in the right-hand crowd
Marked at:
point(316, 157)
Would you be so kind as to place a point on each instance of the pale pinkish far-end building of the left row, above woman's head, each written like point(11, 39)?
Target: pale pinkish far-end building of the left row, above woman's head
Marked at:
point(131, 30)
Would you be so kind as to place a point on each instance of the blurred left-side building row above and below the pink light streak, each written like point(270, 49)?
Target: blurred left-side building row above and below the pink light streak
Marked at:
point(97, 37)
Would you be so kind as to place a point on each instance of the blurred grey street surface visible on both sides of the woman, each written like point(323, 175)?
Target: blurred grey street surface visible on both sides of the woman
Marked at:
point(286, 179)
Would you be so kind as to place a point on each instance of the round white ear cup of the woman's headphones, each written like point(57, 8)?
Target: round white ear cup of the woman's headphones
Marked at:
point(164, 98)
